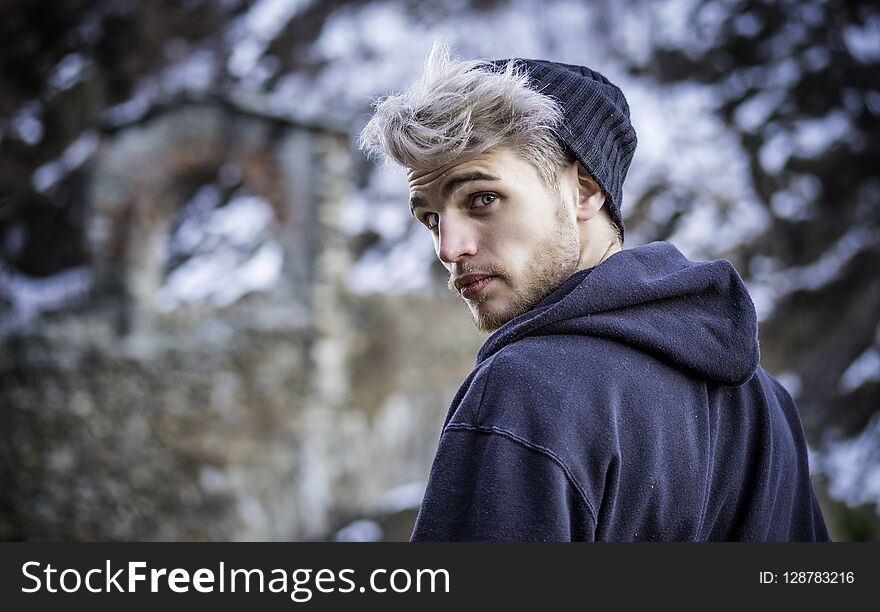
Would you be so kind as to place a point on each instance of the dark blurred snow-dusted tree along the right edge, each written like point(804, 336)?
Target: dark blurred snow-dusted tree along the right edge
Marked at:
point(799, 82)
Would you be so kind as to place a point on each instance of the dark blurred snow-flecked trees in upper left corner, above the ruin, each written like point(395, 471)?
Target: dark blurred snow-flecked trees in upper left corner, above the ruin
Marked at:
point(72, 69)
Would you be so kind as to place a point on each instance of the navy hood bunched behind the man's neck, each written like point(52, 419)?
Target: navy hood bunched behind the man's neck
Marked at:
point(697, 316)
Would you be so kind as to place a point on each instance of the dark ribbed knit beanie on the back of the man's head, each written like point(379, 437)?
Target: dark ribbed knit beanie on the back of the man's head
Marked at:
point(595, 125)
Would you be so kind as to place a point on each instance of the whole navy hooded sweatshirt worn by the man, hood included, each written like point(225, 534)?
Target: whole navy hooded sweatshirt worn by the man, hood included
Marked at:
point(627, 405)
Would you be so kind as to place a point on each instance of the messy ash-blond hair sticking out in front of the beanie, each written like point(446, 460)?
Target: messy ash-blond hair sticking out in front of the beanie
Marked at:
point(462, 108)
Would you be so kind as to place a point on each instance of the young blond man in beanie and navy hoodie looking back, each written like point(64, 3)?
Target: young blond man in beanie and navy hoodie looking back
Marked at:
point(620, 395)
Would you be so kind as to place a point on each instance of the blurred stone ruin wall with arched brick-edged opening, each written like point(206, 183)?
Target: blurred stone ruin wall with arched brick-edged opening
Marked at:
point(207, 377)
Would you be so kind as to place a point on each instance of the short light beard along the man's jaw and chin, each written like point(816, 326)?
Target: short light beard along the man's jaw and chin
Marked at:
point(553, 261)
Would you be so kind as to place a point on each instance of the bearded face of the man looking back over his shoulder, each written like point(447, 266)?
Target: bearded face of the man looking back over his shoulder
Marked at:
point(506, 238)
